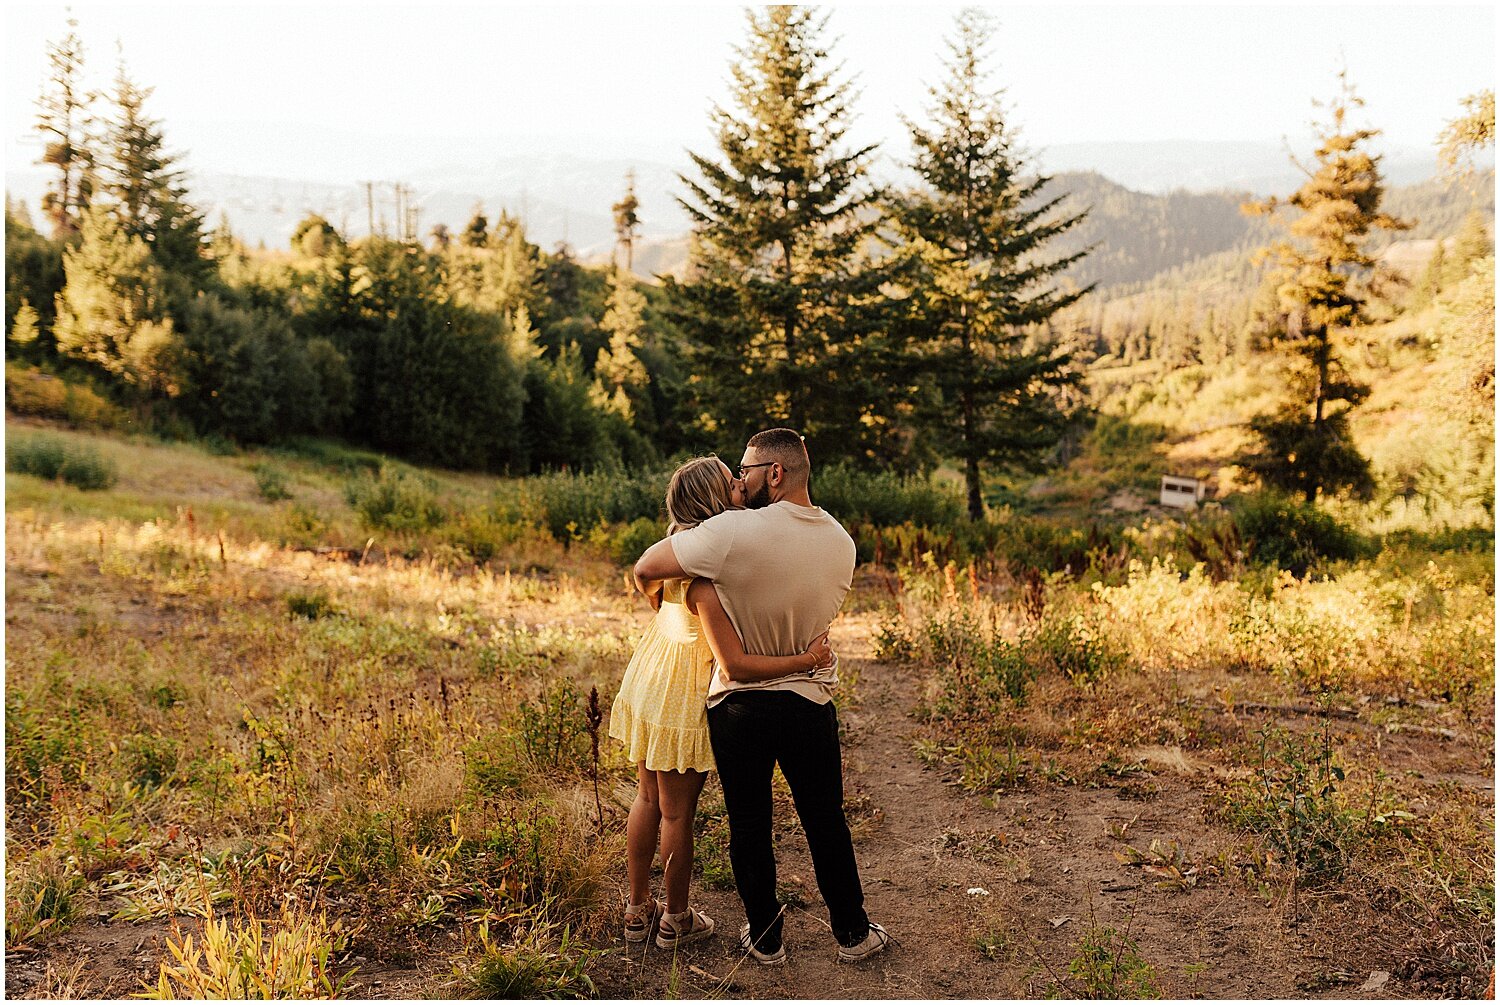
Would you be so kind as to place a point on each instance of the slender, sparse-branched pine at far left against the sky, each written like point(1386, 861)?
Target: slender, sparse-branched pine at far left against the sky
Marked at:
point(67, 127)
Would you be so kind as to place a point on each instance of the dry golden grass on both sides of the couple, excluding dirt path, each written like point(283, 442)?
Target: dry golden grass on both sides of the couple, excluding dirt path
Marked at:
point(205, 719)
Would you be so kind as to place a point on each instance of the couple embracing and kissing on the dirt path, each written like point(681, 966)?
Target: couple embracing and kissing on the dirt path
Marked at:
point(736, 674)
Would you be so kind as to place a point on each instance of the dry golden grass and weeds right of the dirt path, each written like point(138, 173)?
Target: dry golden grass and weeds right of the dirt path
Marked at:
point(1313, 713)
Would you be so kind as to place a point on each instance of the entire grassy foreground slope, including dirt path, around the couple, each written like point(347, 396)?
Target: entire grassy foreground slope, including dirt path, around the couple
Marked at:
point(250, 694)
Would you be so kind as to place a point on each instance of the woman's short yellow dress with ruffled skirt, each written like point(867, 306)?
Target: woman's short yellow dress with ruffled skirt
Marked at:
point(659, 712)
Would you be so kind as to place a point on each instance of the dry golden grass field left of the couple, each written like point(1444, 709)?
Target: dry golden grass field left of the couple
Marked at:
point(202, 716)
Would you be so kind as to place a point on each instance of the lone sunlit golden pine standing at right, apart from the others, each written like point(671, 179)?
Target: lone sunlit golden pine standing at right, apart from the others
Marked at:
point(1306, 446)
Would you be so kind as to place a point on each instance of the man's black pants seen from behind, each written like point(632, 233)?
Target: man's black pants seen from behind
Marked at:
point(752, 733)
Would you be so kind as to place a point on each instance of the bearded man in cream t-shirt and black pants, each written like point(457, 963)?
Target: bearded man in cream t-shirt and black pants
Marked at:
point(781, 569)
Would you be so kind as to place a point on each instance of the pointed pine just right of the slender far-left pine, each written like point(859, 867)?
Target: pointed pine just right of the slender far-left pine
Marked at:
point(146, 185)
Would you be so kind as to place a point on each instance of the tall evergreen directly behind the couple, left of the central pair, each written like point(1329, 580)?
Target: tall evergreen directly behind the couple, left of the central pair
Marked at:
point(781, 308)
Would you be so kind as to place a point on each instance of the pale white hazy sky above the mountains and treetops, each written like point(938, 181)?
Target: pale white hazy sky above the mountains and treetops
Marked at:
point(251, 88)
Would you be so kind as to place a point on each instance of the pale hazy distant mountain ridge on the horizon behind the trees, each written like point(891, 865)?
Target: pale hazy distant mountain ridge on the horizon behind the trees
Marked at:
point(1169, 205)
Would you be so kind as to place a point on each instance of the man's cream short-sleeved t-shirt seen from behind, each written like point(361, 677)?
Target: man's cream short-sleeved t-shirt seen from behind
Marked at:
point(782, 574)
